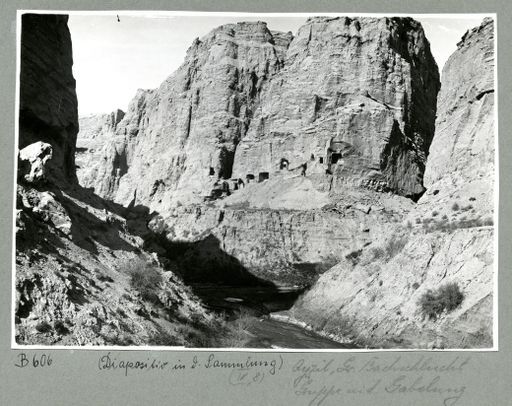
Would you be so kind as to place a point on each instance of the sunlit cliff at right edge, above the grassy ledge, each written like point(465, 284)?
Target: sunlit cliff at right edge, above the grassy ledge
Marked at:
point(460, 168)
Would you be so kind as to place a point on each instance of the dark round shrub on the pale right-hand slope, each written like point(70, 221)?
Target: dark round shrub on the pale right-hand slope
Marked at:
point(448, 297)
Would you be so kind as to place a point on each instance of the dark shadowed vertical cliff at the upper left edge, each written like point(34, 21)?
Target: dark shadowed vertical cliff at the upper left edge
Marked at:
point(49, 107)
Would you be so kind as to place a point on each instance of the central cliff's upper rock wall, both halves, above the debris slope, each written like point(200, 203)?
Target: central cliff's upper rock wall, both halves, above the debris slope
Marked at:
point(353, 97)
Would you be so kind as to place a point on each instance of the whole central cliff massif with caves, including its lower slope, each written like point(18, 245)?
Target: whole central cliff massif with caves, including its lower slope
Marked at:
point(218, 149)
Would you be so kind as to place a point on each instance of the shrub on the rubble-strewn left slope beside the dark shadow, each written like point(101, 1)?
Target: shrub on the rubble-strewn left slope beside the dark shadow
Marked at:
point(145, 278)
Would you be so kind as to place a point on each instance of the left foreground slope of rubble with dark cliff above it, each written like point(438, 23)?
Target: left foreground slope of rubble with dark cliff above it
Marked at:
point(82, 274)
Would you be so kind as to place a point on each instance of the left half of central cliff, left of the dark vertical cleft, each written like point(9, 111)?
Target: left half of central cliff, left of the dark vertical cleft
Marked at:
point(172, 138)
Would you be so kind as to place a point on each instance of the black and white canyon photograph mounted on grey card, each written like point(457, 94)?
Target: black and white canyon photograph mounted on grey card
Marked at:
point(275, 182)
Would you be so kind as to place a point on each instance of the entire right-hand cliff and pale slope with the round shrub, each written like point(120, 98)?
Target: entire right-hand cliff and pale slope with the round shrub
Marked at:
point(382, 298)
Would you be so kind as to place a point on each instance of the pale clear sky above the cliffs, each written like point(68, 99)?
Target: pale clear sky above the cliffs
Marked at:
point(113, 59)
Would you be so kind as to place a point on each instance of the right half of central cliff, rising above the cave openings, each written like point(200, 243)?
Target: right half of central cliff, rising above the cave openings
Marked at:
point(356, 99)
